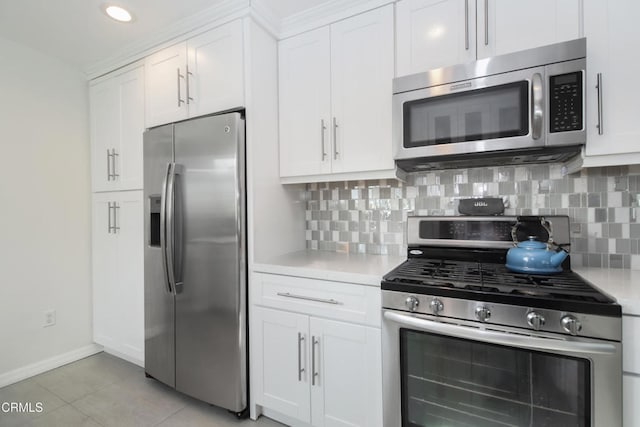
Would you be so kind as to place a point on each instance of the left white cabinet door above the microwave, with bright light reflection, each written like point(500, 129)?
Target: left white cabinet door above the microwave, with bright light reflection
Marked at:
point(434, 33)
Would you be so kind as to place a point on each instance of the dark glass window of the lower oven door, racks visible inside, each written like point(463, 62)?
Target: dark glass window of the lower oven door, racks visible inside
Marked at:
point(455, 382)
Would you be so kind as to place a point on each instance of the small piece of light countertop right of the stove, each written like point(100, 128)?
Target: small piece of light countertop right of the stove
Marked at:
point(622, 284)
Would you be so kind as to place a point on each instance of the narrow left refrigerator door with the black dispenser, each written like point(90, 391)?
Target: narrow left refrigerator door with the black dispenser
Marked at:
point(159, 312)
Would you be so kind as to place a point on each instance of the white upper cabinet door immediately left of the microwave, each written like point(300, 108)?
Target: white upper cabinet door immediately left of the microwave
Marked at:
point(362, 59)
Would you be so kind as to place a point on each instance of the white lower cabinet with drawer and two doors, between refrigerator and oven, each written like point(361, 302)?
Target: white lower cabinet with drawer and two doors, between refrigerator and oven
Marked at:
point(310, 369)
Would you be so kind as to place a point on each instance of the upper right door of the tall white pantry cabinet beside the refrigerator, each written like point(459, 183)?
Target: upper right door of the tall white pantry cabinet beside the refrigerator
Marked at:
point(128, 162)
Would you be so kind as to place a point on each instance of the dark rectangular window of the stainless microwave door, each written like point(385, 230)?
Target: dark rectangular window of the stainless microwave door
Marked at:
point(493, 112)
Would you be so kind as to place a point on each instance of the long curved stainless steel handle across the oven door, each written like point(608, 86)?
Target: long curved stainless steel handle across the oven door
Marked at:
point(500, 338)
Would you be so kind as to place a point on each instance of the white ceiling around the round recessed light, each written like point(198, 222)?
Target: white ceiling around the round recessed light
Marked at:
point(80, 34)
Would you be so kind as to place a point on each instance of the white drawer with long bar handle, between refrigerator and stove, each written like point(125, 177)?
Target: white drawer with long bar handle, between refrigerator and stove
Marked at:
point(322, 298)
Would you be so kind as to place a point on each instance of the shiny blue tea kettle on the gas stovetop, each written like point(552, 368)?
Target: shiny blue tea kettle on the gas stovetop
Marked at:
point(534, 257)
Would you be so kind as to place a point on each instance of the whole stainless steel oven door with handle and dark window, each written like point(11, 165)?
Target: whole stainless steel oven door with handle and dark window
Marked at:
point(445, 374)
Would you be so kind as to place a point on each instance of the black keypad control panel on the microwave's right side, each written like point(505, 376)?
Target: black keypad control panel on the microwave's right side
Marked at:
point(565, 102)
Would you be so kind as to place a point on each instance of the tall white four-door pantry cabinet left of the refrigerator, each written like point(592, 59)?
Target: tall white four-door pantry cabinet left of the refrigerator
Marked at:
point(117, 124)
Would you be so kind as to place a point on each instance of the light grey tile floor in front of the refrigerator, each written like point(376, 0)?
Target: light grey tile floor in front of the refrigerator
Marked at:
point(103, 390)
